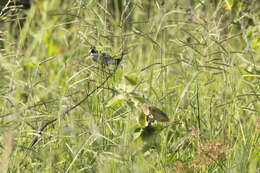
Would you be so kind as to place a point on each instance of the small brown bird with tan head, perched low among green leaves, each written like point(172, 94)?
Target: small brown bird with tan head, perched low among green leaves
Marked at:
point(154, 113)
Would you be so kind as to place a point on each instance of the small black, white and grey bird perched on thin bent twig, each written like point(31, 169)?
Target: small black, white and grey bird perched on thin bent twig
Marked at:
point(102, 58)
